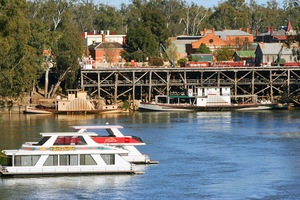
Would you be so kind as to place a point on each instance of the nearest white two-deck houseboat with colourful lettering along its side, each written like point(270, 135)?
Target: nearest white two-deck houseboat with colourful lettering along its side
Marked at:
point(67, 153)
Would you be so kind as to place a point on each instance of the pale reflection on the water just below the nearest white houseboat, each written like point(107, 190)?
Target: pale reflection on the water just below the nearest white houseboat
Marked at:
point(61, 187)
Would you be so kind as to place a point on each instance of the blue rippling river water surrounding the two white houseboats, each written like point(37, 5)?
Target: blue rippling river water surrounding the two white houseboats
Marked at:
point(202, 155)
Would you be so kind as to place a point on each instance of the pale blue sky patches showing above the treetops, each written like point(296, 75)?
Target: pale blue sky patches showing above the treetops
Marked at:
point(205, 3)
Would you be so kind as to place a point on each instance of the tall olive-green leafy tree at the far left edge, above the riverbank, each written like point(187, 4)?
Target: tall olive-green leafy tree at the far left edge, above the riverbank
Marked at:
point(18, 66)
